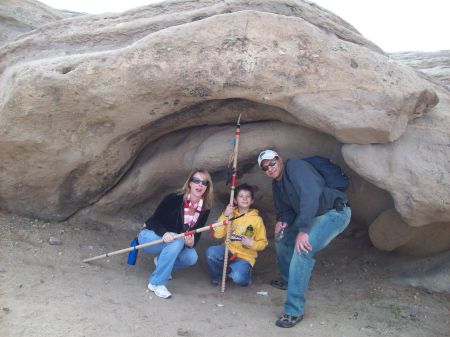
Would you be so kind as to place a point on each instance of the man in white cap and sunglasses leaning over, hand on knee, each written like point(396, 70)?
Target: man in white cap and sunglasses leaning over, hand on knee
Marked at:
point(309, 216)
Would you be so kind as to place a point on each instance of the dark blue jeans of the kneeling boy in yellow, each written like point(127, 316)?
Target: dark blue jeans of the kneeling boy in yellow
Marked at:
point(241, 270)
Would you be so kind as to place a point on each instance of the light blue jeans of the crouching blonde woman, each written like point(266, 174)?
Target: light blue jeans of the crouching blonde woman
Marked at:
point(174, 255)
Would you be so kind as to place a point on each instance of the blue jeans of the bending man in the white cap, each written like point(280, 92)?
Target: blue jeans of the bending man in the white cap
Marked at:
point(295, 268)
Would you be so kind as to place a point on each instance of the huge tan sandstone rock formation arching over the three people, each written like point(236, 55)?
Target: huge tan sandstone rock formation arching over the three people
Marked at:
point(118, 108)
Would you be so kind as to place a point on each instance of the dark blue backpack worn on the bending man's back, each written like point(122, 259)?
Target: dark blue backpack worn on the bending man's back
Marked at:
point(332, 174)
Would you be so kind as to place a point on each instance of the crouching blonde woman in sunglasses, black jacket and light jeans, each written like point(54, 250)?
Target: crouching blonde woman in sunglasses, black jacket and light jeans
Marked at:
point(185, 210)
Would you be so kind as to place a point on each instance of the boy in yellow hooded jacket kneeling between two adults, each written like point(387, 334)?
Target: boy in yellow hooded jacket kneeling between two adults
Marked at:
point(248, 236)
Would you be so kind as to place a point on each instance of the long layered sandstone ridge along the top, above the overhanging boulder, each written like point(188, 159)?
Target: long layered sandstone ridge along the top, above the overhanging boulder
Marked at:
point(109, 31)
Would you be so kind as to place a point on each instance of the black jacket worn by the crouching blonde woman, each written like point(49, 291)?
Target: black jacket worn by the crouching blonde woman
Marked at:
point(169, 217)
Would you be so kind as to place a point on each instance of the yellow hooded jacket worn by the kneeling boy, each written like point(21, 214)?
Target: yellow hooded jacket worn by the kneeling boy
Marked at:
point(238, 228)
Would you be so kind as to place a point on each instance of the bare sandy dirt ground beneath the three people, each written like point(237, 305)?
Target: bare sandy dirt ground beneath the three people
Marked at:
point(45, 290)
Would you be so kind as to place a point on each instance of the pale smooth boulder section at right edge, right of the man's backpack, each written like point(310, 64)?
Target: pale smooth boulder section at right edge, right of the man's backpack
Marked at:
point(415, 168)
